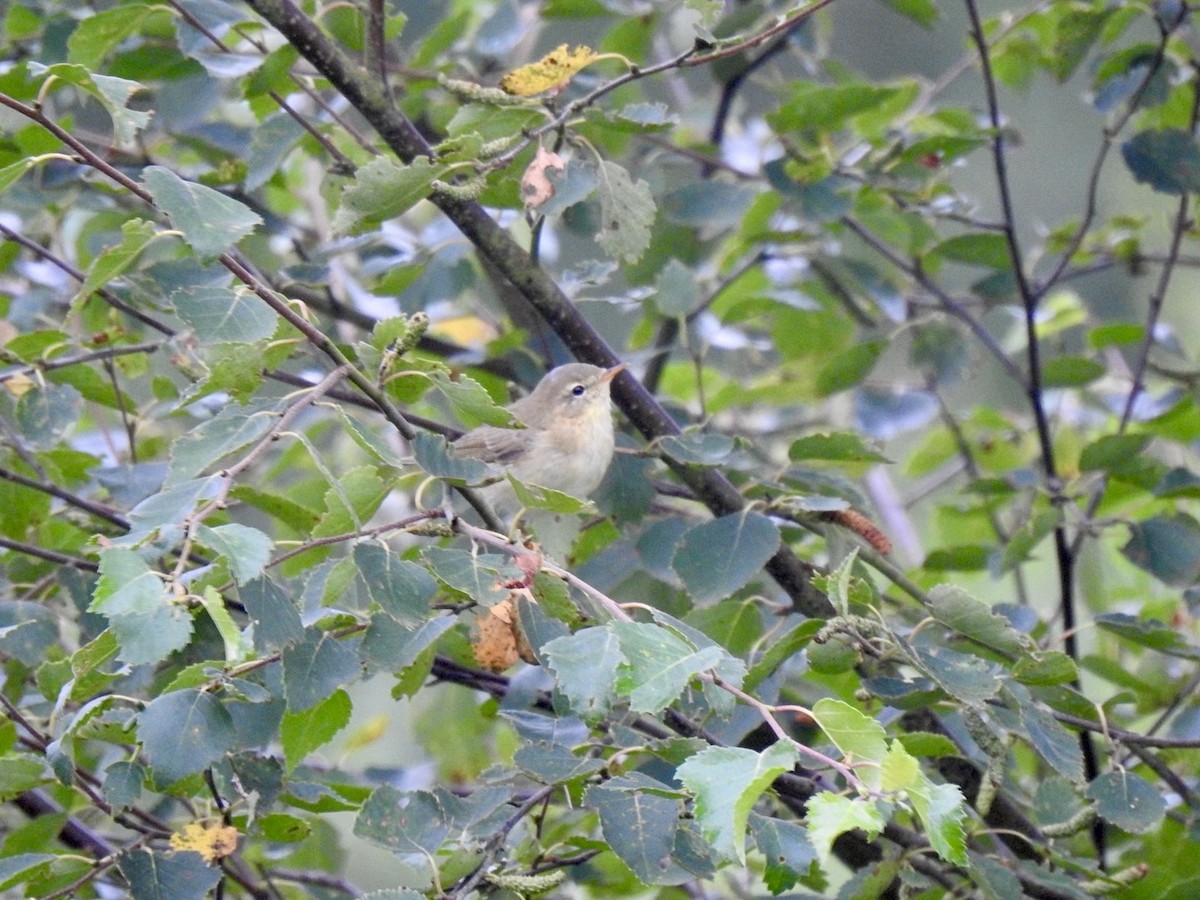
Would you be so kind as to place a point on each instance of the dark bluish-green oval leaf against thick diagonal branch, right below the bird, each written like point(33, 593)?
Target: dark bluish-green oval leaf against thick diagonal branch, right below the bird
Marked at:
point(717, 559)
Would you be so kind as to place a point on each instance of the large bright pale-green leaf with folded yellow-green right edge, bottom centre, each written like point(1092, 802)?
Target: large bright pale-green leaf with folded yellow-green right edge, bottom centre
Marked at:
point(727, 783)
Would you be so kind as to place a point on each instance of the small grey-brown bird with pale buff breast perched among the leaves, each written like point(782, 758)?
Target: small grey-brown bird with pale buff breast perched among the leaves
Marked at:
point(566, 445)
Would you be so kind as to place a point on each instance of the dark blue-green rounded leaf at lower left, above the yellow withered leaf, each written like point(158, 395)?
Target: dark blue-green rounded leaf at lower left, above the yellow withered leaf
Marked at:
point(184, 733)
